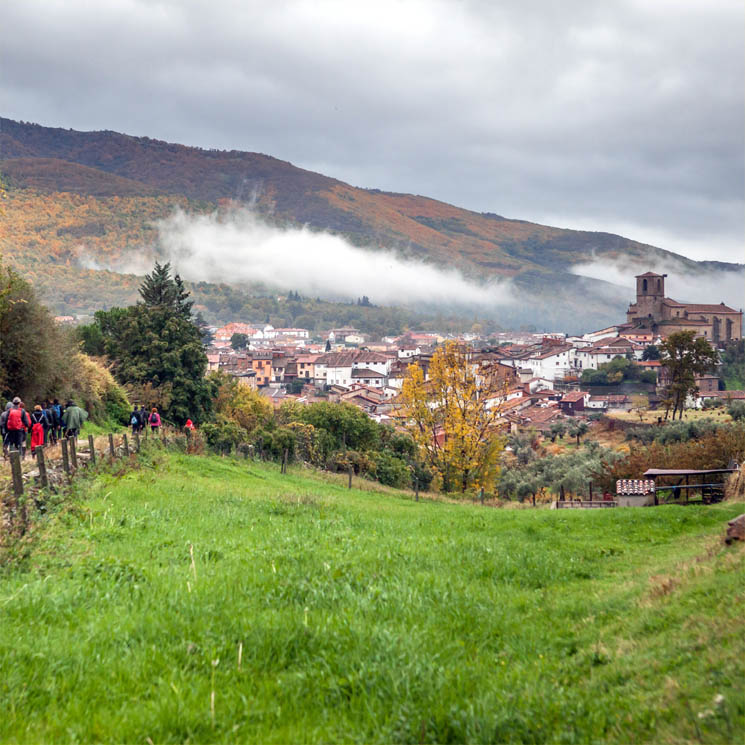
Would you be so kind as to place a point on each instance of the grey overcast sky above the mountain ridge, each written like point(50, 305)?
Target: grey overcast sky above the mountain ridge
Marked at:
point(618, 115)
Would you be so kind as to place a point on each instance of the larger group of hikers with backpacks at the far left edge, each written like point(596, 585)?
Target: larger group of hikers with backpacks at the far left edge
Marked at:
point(49, 422)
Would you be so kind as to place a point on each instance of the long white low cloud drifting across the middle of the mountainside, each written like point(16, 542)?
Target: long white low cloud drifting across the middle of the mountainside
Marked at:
point(245, 249)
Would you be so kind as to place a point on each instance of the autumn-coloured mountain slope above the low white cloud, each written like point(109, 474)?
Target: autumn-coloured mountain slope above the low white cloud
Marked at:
point(108, 189)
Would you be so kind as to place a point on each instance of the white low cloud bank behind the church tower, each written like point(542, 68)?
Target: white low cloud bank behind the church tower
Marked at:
point(682, 283)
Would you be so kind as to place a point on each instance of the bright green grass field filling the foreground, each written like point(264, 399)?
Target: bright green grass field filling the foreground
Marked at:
point(206, 599)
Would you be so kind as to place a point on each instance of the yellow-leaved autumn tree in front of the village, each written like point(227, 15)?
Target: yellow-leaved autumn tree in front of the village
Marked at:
point(453, 417)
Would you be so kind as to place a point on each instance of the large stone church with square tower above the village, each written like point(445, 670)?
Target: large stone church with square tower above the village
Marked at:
point(662, 315)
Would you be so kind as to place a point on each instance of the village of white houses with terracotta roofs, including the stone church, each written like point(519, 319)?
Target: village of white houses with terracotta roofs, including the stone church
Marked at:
point(540, 375)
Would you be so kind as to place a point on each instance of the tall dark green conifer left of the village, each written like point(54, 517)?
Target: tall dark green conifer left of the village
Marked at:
point(157, 343)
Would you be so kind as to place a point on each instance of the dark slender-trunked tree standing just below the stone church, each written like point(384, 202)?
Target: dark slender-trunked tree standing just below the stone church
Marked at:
point(685, 356)
